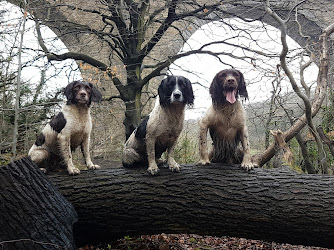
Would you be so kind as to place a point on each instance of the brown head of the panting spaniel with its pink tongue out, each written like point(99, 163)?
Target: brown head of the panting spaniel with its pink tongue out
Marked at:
point(227, 85)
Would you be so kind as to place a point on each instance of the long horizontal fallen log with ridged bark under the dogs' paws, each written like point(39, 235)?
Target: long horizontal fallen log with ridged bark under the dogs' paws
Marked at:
point(219, 200)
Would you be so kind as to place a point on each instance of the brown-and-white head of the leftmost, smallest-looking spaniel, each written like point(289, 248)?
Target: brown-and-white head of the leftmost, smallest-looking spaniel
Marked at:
point(82, 92)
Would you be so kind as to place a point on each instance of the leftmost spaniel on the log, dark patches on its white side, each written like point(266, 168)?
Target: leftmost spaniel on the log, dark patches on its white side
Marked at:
point(68, 129)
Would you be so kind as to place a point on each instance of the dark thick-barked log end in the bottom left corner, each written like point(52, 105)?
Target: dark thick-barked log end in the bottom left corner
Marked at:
point(33, 214)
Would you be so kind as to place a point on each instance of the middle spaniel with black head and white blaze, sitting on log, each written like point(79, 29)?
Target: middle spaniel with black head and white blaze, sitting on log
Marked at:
point(160, 130)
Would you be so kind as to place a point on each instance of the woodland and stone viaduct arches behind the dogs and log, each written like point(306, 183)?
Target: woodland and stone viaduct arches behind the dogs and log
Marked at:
point(126, 47)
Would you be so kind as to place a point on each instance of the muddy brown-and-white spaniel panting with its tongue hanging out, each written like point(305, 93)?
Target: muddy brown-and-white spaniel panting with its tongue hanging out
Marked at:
point(226, 122)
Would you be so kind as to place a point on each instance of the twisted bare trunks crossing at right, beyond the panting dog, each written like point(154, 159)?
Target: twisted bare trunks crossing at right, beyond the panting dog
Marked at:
point(311, 107)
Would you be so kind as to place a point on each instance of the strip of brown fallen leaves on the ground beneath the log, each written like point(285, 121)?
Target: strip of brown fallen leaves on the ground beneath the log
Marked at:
point(193, 242)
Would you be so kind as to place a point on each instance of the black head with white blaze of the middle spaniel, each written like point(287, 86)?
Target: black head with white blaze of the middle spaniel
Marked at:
point(175, 89)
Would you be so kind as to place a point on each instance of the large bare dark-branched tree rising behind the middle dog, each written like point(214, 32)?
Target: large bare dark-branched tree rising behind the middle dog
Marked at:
point(131, 33)
